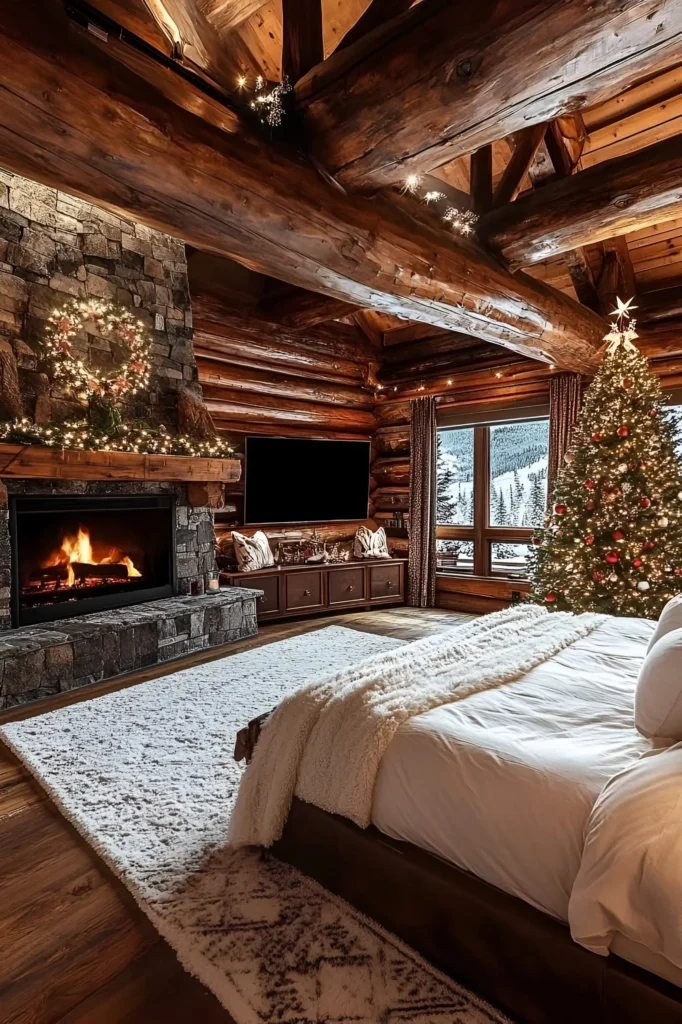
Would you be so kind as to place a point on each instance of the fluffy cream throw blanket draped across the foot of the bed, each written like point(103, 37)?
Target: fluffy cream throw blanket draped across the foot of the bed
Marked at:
point(325, 743)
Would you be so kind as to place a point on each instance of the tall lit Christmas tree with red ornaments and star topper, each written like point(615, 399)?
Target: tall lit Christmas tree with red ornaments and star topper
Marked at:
point(613, 540)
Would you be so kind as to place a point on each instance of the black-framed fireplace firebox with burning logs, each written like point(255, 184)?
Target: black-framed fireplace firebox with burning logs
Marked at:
point(72, 557)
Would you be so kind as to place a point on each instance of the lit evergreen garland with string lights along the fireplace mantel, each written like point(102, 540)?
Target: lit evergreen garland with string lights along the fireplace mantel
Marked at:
point(141, 440)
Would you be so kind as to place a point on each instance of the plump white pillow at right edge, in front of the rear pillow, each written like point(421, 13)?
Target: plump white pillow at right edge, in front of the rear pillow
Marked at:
point(659, 694)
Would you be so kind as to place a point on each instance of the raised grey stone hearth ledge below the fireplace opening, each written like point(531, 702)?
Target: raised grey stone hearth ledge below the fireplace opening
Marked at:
point(42, 661)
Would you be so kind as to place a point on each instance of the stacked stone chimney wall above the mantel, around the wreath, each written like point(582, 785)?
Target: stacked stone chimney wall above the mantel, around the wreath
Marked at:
point(55, 247)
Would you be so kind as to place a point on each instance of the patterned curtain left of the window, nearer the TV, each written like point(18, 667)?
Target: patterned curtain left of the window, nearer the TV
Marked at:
point(422, 550)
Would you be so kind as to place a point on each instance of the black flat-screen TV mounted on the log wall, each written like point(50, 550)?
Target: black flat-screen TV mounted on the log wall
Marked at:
point(291, 480)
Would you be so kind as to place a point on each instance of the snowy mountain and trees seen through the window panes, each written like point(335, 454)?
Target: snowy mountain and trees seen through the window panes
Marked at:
point(519, 486)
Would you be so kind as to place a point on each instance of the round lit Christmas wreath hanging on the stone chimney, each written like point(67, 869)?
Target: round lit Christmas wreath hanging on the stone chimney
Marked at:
point(111, 322)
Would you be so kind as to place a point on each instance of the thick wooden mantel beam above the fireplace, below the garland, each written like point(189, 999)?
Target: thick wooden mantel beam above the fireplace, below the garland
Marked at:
point(40, 462)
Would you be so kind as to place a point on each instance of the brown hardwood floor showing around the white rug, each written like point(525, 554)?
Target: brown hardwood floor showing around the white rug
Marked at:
point(74, 947)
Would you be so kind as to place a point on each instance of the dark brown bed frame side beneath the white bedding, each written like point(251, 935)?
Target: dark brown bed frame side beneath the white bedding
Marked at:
point(519, 959)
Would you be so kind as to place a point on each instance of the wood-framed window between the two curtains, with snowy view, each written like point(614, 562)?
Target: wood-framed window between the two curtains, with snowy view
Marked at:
point(492, 494)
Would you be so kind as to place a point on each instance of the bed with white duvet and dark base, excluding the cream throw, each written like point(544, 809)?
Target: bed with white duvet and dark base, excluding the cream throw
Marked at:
point(486, 840)
